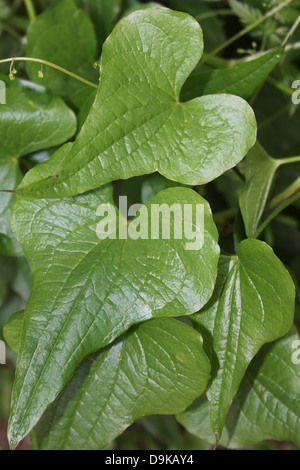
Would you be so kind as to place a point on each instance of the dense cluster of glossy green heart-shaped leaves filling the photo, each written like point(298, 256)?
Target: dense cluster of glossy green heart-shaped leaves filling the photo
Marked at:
point(110, 331)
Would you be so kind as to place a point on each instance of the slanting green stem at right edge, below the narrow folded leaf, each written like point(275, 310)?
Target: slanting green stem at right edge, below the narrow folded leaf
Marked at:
point(279, 203)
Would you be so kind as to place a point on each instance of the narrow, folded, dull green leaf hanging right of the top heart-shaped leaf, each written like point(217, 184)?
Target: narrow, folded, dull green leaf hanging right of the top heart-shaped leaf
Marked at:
point(260, 171)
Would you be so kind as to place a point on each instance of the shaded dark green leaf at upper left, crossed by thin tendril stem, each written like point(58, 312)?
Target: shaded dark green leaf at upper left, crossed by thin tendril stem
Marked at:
point(65, 36)
